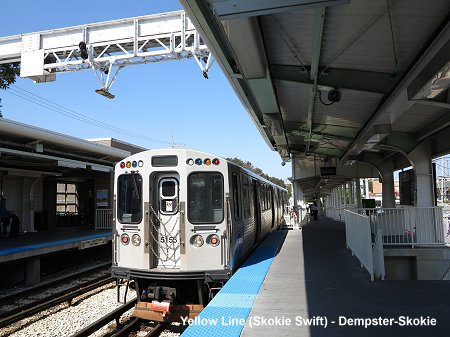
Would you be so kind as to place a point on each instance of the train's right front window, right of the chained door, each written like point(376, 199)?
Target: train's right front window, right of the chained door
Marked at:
point(205, 197)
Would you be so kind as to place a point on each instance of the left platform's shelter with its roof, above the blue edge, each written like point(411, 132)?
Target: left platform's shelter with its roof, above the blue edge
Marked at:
point(51, 180)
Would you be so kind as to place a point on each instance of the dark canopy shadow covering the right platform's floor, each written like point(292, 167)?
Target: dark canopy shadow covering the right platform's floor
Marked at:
point(337, 287)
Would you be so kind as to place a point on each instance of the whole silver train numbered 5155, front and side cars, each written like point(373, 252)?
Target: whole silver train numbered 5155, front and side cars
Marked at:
point(183, 223)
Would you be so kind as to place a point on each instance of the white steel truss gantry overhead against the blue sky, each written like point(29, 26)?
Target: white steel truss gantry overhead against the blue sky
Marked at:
point(106, 47)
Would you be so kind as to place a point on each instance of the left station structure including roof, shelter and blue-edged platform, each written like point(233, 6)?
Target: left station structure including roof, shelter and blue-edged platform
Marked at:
point(61, 189)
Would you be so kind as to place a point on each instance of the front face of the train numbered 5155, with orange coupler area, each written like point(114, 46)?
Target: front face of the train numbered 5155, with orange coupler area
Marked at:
point(170, 235)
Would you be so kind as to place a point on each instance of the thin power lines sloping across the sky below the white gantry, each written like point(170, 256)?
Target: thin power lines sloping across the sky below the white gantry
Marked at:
point(47, 104)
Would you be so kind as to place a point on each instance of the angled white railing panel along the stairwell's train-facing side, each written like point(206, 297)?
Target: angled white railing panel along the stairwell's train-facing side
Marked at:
point(359, 239)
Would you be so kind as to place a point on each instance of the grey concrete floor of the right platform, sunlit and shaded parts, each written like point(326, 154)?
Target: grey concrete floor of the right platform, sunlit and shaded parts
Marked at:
point(316, 288)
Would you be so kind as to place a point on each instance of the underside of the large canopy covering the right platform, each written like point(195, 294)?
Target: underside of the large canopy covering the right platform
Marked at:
point(353, 81)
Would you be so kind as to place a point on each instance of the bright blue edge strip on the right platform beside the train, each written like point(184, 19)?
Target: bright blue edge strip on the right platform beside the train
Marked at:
point(226, 314)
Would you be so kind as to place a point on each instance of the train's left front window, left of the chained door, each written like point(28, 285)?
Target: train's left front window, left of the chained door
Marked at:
point(129, 194)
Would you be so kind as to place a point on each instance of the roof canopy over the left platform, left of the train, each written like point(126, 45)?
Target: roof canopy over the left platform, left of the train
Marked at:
point(31, 150)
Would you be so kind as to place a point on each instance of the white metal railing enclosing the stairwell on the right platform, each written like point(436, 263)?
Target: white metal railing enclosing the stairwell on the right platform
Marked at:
point(368, 230)
